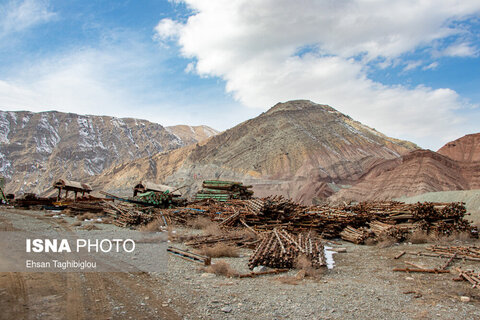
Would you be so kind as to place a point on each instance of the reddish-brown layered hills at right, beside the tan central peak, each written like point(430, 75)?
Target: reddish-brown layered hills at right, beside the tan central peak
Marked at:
point(419, 172)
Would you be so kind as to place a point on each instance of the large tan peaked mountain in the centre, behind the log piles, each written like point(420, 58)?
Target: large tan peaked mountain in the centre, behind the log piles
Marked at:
point(299, 149)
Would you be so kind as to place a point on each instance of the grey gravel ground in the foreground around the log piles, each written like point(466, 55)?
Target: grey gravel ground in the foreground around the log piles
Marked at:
point(362, 285)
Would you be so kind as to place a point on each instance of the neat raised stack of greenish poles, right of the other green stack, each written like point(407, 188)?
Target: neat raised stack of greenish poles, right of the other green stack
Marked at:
point(224, 190)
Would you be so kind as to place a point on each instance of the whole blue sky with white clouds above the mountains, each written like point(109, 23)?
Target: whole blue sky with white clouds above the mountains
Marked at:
point(409, 68)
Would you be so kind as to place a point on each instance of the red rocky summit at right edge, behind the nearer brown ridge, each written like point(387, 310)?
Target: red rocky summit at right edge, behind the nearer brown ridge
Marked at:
point(466, 148)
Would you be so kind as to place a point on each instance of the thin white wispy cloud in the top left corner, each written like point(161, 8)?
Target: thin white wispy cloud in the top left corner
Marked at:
point(16, 16)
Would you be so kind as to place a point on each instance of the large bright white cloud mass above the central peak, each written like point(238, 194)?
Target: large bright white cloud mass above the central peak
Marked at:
point(253, 46)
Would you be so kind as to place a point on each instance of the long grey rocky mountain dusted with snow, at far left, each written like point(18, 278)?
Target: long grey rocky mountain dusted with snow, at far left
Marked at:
point(36, 148)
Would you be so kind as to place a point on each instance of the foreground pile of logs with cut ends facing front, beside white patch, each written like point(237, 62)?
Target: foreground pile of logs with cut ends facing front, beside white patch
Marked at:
point(280, 249)
